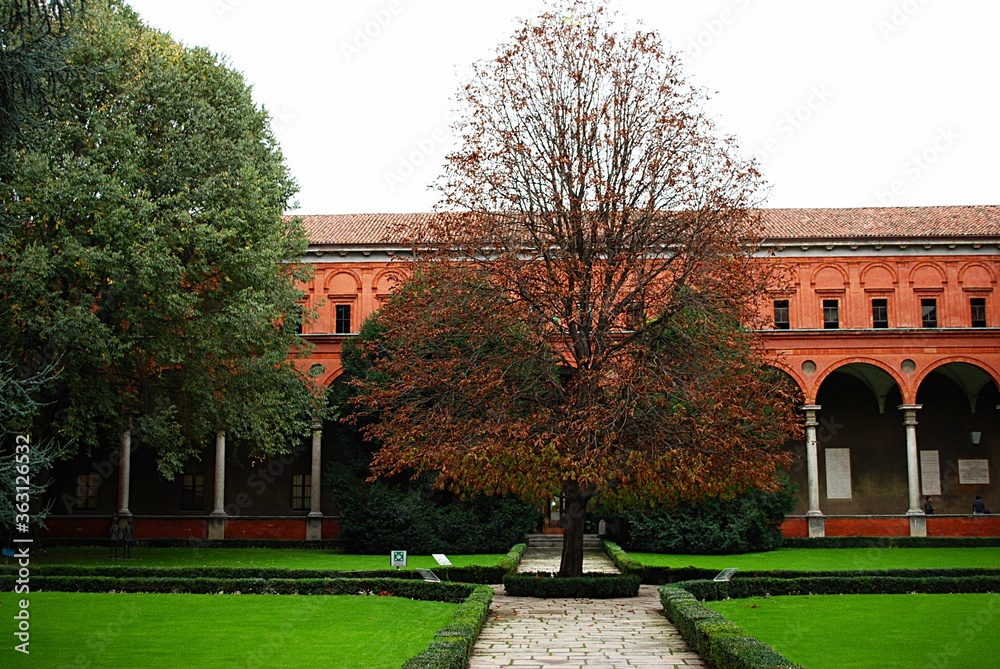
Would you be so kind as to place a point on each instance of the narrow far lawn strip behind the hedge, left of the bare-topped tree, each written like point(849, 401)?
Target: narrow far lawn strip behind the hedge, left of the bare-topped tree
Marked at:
point(287, 558)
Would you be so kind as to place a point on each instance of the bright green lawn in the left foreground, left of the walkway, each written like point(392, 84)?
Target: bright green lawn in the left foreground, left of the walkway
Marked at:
point(209, 631)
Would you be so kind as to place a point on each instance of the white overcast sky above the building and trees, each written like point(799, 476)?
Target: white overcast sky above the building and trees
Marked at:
point(847, 103)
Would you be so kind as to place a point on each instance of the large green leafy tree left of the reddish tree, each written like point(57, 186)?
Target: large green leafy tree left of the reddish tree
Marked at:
point(148, 259)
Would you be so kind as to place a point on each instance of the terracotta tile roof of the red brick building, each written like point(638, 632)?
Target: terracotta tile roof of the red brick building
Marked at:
point(778, 224)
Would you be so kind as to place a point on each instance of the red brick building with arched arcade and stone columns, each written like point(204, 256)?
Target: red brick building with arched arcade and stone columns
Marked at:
point(886, 318)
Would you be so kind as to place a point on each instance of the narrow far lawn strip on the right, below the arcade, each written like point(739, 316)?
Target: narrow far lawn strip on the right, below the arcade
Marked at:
point(832, 559)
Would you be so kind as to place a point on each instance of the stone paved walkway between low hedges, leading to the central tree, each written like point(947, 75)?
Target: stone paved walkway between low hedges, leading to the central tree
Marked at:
point(534, 633)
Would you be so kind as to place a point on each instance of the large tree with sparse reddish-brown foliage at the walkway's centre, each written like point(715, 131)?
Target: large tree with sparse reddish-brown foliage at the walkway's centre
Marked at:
point(573, 324)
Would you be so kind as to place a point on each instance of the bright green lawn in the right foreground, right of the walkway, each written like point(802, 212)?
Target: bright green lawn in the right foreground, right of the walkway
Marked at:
point(884, 631)
